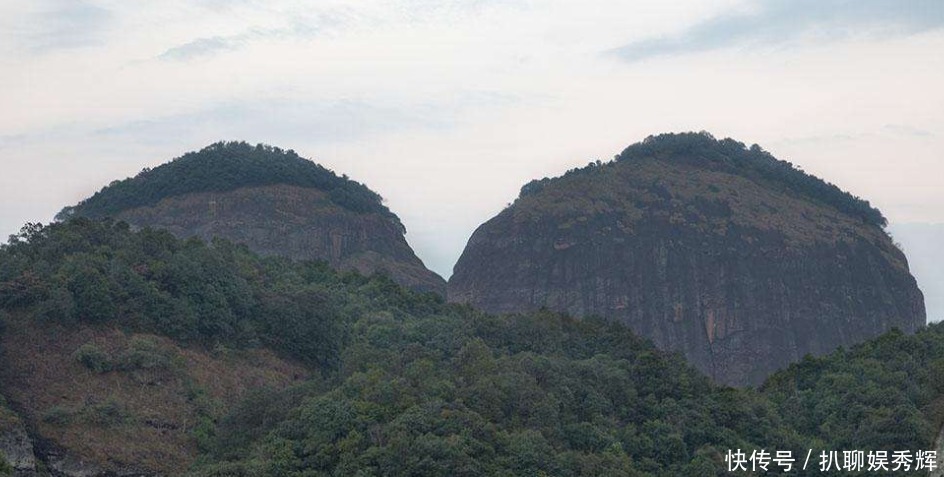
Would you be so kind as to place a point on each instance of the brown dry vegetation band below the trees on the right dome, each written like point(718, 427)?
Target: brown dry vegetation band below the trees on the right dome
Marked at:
point(630, 189)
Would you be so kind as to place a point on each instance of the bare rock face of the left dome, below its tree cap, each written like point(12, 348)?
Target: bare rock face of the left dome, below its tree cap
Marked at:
point(295, 222)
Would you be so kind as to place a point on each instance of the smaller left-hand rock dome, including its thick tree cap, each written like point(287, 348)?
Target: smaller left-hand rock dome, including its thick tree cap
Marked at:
point(273, 201)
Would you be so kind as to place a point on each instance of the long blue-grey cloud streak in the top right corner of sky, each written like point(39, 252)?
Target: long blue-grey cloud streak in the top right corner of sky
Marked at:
point(778, 22)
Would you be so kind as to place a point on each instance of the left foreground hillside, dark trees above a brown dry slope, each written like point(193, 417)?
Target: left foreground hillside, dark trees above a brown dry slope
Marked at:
point(118, 351)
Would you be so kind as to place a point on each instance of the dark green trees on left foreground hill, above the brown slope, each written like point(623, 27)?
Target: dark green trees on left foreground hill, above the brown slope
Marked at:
point(101, 272)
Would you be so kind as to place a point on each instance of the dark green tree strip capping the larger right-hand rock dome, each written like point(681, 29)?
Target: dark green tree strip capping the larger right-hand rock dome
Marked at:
point(733, 157)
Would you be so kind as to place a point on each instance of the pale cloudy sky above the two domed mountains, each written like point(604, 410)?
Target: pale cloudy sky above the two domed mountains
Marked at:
point(447, 107)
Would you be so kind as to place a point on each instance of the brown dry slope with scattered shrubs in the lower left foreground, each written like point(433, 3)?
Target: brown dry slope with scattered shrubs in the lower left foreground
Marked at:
point(148, 410)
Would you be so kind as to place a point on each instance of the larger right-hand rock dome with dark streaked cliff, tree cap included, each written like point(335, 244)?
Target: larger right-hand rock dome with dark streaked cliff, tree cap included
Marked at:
point(724, 254)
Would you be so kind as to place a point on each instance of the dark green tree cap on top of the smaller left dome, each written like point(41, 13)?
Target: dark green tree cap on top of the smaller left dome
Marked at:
point(226, 166)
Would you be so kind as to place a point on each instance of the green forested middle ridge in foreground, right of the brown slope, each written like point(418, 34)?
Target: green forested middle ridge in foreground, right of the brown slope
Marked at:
point(456, 392)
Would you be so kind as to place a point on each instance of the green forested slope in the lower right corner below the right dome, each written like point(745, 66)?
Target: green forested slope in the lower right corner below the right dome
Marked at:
point(882, 394)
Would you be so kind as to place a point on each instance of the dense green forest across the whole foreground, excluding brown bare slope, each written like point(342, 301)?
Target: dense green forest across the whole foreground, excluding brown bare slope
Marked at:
point(406, 384)
